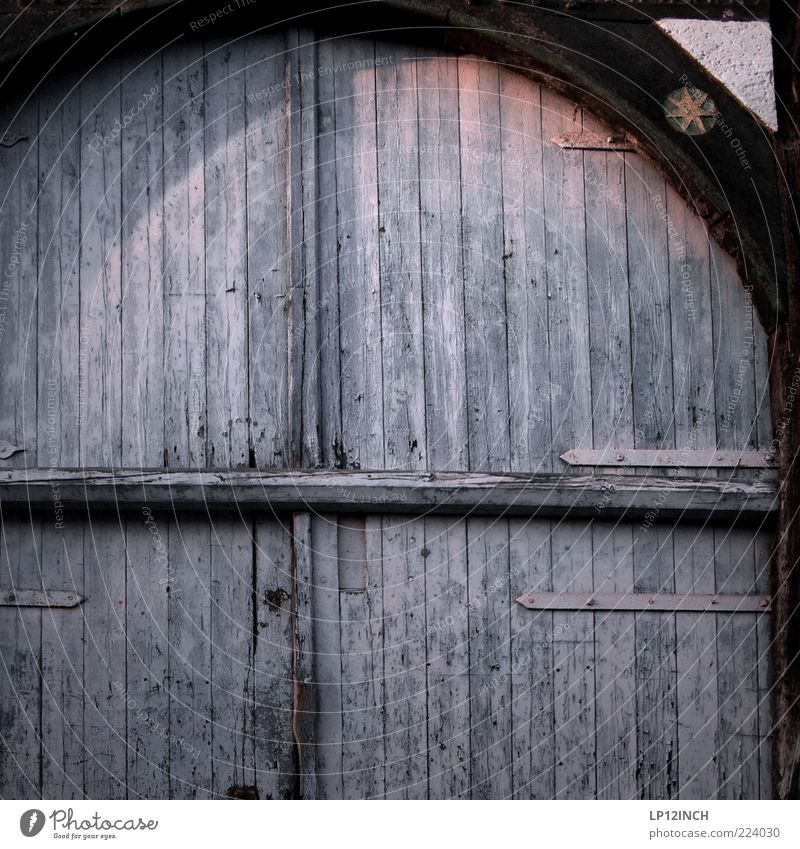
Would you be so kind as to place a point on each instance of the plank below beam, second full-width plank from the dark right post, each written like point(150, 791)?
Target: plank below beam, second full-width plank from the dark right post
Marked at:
point(696, 658)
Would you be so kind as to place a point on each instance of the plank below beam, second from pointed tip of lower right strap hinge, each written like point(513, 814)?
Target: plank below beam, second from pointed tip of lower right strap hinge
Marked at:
point(574, 665)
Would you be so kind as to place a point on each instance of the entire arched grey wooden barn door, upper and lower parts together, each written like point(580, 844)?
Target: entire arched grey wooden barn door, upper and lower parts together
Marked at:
point(378, 324)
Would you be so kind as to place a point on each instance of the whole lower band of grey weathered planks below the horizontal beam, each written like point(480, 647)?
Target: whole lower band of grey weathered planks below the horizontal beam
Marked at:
point(350, 656)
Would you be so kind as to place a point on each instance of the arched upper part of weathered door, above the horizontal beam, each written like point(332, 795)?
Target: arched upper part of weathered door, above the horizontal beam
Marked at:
point(272, 255)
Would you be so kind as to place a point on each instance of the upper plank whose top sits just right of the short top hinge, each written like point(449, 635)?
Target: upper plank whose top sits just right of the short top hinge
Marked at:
point(649, 298)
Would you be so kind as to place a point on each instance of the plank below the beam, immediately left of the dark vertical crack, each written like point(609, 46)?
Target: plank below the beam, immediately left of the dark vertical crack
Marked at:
point(232, 768)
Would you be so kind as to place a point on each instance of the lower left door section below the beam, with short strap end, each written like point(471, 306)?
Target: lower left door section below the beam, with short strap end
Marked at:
point(160, 663)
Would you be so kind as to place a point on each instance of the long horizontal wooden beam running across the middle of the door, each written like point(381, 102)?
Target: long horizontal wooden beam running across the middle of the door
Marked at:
point(599, 496)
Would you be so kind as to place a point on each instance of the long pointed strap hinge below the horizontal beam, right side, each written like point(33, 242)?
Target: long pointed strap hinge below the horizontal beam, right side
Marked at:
point(689, 603)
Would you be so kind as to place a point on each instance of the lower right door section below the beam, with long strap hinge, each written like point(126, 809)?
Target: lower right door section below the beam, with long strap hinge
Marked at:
point(433, 681)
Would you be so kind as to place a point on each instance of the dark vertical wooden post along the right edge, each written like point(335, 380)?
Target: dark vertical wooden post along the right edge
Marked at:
point(785, 392)
